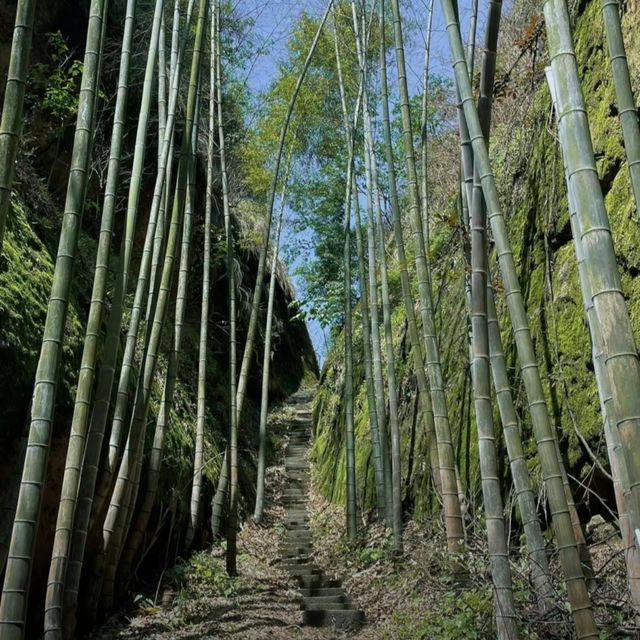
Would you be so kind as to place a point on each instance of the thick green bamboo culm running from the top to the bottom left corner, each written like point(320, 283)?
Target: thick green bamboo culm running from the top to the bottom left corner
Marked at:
point(13, 608)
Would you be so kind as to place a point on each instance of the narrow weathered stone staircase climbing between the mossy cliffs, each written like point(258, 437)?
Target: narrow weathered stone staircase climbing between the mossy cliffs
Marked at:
point(324, 601)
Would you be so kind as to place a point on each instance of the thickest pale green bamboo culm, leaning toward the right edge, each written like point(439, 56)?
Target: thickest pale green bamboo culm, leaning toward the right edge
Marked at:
point(593, 228)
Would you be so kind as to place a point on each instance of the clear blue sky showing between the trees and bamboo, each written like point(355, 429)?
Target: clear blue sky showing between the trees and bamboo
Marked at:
point(273, 23)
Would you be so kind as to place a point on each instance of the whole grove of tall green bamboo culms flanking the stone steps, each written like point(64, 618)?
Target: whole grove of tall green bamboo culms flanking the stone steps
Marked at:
point(383, 223)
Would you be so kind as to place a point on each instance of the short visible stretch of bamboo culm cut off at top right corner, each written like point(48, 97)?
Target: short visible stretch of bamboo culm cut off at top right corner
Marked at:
point(627, 110)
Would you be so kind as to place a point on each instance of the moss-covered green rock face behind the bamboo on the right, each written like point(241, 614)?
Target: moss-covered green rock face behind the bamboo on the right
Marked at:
point(530, 177)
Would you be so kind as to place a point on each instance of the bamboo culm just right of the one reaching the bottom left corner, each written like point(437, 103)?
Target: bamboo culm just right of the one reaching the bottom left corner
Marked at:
point(82, 408)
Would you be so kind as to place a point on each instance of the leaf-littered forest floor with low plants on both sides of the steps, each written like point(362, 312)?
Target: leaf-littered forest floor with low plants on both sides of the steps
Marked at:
point(411, 598)
